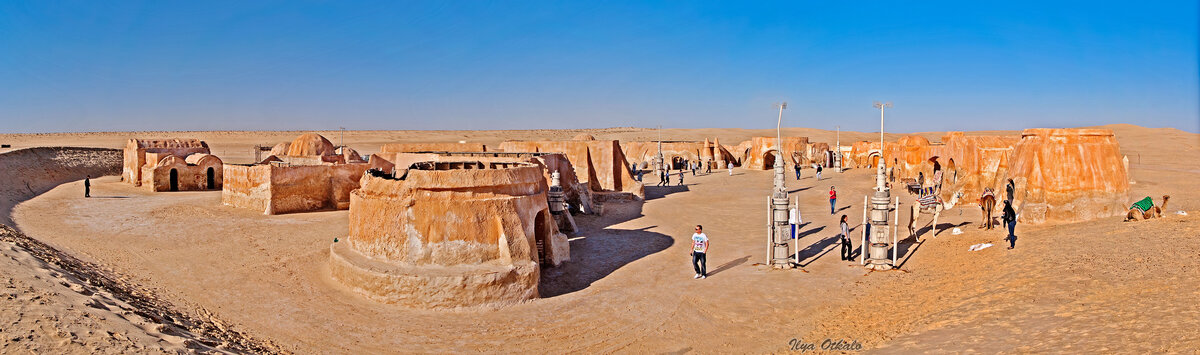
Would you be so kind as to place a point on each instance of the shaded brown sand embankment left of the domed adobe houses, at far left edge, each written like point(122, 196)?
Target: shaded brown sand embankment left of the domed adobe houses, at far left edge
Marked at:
point(27, 173)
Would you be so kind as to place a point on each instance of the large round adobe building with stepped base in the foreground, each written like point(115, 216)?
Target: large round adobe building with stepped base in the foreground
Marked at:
point(445, 239)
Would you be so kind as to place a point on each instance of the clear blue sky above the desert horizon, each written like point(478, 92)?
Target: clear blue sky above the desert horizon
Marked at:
point(473, 65)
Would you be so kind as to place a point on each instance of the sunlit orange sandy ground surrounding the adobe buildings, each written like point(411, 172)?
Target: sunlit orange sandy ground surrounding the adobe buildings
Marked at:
point(1101, 286)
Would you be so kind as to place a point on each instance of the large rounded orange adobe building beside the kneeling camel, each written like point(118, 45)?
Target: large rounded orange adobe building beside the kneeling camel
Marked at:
point(1069, 176)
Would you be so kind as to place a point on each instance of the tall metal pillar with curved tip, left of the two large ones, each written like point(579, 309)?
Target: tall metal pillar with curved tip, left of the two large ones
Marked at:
point(778, 227)
